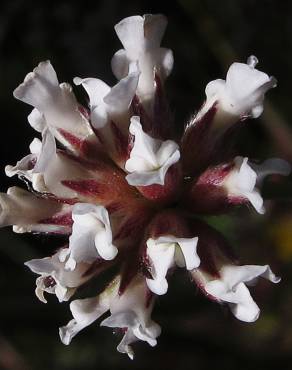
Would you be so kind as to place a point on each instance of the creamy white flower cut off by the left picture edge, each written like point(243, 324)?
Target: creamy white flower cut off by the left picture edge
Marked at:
point(26, 212)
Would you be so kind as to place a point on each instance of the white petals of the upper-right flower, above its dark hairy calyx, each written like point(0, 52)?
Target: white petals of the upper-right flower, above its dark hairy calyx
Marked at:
point(242, 94)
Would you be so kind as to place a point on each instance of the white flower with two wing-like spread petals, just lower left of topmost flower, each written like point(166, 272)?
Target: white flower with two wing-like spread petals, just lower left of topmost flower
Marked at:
point(109, 103)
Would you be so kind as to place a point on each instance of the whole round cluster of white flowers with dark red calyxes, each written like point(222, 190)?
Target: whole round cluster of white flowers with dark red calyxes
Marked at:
point(126, 192)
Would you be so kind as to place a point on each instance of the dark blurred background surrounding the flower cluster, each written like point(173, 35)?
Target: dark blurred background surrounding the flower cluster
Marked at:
point(206, 37)
